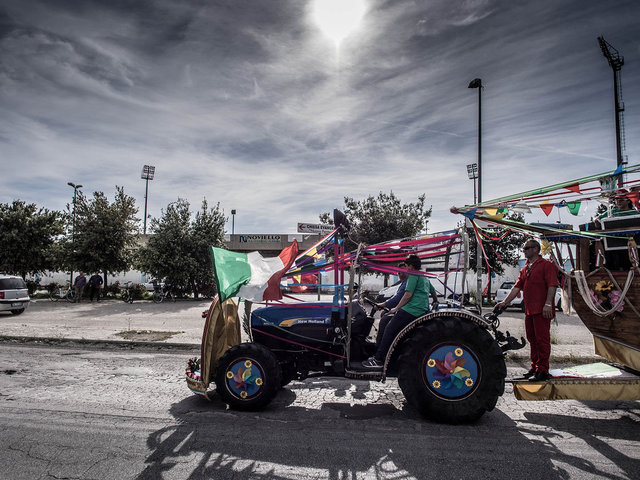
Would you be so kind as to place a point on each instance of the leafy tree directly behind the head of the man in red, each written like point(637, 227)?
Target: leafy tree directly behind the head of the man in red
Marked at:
point(503, 251)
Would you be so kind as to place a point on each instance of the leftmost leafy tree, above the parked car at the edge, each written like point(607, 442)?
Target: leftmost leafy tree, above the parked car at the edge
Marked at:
point(27, 238)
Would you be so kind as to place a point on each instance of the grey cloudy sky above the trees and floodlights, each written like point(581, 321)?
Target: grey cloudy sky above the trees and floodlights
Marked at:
point(255, 105)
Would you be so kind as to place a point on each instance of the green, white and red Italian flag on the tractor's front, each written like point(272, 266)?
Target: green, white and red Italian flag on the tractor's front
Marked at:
point(250, 275)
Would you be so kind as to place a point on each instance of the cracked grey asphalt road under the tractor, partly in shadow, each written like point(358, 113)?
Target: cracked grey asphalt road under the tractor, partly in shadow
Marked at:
point(118, 413)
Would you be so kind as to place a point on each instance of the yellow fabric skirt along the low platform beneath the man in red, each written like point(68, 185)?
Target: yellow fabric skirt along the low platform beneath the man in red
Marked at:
point(578, 389)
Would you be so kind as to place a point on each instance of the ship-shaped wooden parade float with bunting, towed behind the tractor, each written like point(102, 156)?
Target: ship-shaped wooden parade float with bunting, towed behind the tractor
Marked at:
point(599, 264)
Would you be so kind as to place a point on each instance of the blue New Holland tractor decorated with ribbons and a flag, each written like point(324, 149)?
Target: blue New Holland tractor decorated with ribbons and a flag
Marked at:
point(450, 363)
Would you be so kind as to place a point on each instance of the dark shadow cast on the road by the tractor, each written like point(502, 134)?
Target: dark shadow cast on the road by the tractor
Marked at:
point(337, 441)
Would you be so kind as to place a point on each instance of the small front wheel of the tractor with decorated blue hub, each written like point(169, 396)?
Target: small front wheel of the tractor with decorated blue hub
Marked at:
point(248, 376)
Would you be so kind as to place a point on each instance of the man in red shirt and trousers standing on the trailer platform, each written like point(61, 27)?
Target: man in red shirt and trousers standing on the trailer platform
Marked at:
point(538, 280)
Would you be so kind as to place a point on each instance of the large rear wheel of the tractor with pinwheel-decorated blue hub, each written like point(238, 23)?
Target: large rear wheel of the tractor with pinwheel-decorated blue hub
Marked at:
point(451, 370)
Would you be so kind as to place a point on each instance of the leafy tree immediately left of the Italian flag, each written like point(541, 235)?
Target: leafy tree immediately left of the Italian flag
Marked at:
point(178, 248)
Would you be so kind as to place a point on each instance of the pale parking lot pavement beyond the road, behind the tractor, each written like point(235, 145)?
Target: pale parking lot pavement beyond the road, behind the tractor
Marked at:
point(182, 322)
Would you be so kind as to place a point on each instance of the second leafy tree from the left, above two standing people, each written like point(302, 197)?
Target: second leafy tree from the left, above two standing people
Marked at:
point(104, 234)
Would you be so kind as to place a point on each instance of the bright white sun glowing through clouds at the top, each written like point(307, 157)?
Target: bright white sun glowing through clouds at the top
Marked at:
point(337, 18)
